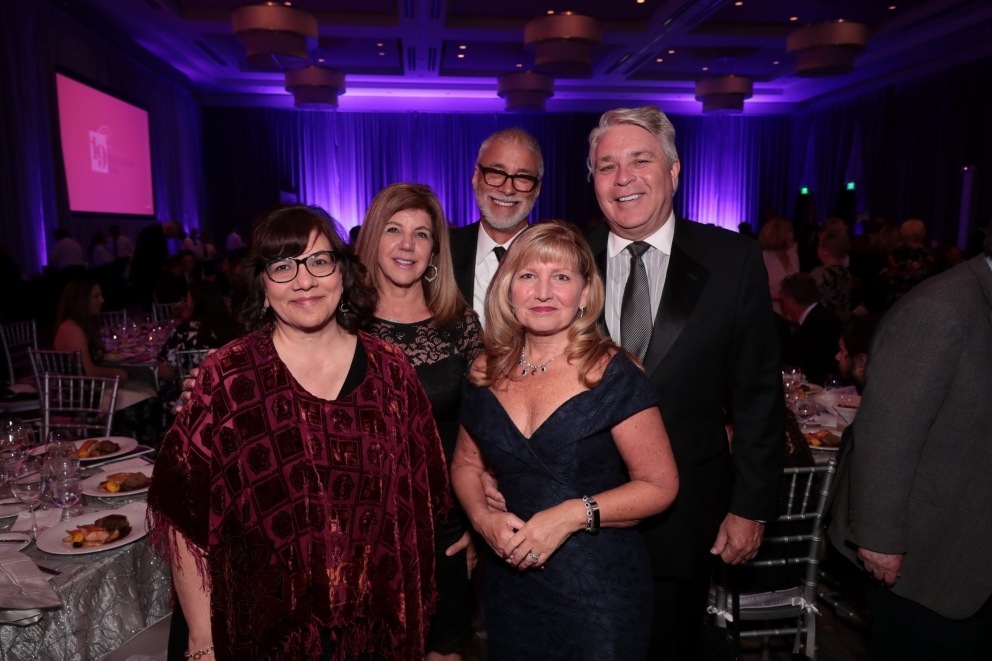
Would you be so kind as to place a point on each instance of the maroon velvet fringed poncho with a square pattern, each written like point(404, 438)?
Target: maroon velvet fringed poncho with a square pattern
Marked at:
point(312, 513)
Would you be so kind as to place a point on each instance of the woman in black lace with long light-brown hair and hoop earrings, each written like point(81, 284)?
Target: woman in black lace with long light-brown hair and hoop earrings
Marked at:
point(404, 245)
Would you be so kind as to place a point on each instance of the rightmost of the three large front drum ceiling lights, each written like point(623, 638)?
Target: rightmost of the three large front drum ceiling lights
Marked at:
point(826, 49)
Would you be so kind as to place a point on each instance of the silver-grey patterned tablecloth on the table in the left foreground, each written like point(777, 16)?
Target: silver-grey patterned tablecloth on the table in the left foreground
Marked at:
point(107, 597)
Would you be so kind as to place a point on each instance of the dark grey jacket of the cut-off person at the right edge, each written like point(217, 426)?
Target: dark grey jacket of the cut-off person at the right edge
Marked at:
point(916, 478)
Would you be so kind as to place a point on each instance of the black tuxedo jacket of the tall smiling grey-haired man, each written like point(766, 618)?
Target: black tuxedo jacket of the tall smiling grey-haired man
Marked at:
point(714, 348)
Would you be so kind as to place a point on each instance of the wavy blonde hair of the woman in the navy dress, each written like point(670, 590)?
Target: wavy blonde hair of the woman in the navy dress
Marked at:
point(548, 242)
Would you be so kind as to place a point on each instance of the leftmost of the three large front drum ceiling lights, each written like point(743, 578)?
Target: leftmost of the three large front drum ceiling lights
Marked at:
point(276, 38)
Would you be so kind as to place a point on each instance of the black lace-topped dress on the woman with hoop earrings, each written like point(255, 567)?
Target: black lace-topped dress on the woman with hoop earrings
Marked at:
point(441, 357)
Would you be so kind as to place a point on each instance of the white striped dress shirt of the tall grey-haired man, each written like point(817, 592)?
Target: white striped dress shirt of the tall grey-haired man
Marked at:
point(618, 270)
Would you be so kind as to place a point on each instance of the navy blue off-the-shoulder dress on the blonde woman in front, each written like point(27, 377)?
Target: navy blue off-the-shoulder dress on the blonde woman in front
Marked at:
point(593, 600)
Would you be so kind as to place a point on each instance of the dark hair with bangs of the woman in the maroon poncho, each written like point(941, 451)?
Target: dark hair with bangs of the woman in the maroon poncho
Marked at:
point(285, 232)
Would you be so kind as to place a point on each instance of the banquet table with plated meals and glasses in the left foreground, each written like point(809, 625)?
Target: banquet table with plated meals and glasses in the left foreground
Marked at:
point(77, 576)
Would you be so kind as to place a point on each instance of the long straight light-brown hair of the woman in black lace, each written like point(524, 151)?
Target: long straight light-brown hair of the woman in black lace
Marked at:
point(443, 298)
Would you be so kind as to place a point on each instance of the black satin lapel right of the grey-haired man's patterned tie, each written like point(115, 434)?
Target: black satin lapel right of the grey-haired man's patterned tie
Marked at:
point(683, 287)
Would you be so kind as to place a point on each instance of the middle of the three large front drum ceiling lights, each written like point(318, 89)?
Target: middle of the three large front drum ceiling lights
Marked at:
point(563, 43)
